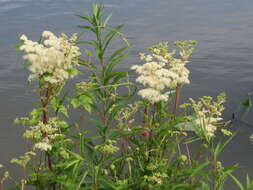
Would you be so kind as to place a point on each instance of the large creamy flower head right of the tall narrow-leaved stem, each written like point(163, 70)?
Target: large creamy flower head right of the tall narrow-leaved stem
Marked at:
point(161, 70)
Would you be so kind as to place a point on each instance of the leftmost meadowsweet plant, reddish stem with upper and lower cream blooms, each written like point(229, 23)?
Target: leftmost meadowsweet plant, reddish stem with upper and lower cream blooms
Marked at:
point(51, 62)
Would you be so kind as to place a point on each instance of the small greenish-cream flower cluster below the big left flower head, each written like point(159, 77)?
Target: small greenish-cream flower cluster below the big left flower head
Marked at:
point(44, 134)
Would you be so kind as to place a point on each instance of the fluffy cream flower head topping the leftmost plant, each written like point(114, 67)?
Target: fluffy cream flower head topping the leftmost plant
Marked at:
point(53, 58)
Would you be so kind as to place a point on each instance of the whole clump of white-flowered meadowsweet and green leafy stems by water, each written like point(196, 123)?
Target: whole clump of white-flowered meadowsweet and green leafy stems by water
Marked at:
point(121, 141)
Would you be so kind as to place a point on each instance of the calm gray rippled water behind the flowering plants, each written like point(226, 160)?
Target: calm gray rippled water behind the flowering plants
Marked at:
point(222, 61)
